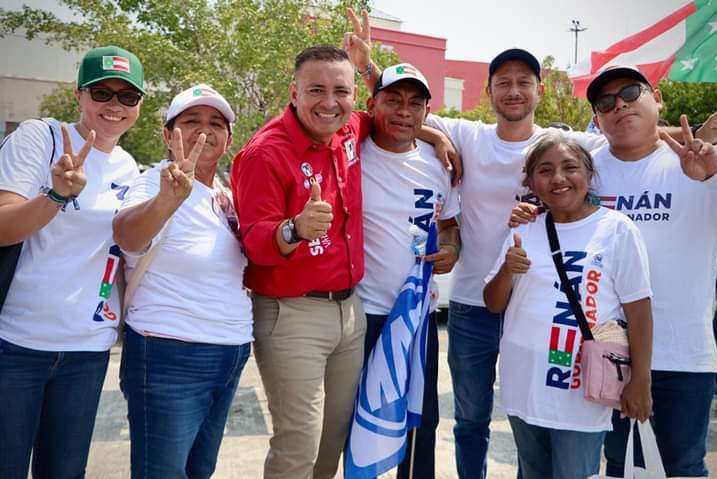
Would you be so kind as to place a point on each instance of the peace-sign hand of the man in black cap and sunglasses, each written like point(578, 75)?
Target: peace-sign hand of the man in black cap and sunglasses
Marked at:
point(698, 159)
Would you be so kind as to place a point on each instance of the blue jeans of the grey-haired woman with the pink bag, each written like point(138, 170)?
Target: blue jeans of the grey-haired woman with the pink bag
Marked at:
point(555, 453)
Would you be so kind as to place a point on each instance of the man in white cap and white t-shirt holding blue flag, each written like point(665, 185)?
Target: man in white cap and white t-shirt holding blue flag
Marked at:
point(405, 189)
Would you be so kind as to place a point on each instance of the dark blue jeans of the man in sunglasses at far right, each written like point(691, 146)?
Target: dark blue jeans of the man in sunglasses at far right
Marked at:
point(681, 413)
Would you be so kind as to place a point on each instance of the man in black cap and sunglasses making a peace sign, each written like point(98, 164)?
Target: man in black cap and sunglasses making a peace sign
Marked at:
point(668, 190)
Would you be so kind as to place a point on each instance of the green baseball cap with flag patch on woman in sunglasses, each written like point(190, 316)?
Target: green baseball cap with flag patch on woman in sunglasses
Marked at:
point(103, 63)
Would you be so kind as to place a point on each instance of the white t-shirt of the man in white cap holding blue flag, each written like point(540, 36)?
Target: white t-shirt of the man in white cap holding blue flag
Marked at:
point(399, 190)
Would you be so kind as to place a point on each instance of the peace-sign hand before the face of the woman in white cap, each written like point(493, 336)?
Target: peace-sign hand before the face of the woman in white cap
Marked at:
point(176, 179)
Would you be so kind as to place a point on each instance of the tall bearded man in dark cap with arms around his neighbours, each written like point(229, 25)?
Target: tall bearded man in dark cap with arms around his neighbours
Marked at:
point(493, 157)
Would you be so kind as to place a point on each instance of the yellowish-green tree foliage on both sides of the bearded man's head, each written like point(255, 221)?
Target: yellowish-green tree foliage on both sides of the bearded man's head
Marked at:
point(556, 105)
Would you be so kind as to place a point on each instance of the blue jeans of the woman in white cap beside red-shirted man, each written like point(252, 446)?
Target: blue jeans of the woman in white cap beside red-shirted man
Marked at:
point(178, 396)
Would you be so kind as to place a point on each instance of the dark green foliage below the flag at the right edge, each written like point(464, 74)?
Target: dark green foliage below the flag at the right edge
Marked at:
point(696, 100)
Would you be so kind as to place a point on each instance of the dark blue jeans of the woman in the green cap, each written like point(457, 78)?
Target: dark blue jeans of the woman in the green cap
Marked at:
point(48, 404)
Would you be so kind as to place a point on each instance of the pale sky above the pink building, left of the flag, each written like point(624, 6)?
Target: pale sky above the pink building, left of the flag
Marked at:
point(480, 29)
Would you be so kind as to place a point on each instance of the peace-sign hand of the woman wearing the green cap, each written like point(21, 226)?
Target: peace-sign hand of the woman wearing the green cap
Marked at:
point(68, 173)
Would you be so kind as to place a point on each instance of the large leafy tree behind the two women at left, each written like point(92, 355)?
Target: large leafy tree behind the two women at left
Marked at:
point(243, 48)
